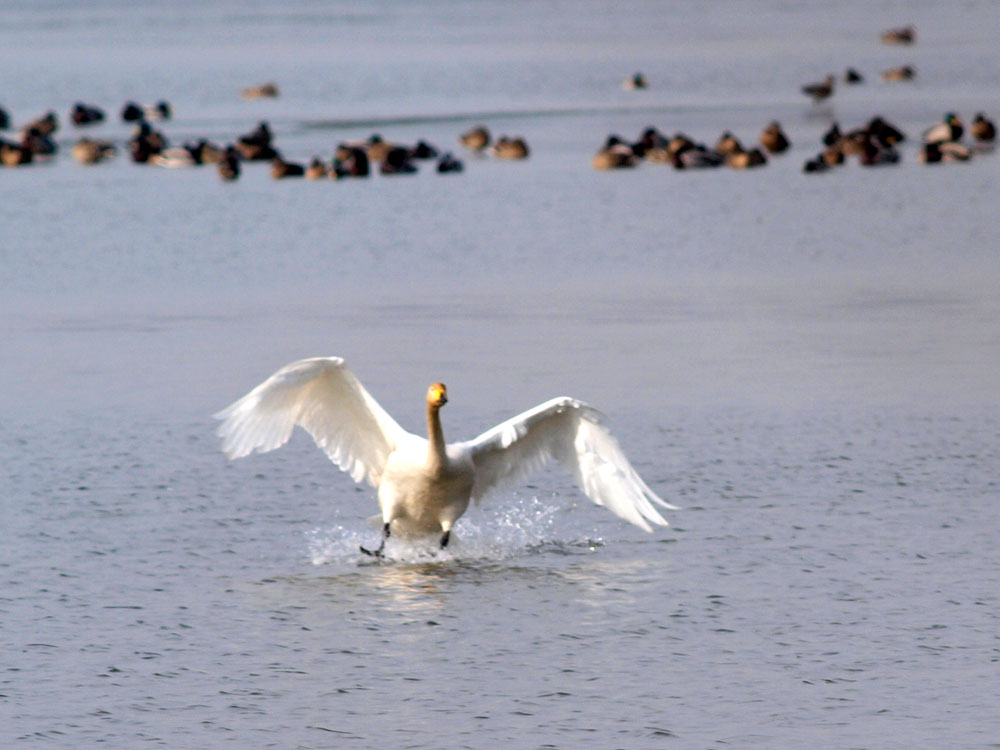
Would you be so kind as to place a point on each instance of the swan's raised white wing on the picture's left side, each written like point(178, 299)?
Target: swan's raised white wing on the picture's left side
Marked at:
point(323, 397)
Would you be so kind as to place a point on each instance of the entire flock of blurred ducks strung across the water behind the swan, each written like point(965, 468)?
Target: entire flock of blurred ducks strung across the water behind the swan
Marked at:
point(873, 143)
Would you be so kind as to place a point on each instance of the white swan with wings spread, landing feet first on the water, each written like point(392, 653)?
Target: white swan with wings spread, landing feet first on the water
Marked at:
point(424, 485)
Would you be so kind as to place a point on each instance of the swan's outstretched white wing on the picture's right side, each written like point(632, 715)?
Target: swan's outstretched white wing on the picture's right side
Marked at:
point(575, 435)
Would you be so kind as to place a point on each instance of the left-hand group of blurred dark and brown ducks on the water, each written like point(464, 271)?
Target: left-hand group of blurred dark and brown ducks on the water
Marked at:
point(148, 145)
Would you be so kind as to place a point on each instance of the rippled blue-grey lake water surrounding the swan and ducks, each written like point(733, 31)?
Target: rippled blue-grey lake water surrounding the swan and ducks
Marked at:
point(807, 364)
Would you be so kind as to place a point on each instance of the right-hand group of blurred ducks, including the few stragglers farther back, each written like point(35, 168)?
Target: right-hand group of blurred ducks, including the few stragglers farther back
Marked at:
point(873, 143)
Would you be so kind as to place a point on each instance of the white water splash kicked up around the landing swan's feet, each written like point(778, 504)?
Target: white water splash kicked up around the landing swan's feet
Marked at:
point(523, 527)
